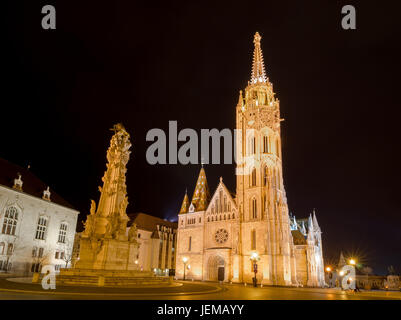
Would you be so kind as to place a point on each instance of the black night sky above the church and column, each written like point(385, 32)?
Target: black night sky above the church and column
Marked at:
point(144, 64)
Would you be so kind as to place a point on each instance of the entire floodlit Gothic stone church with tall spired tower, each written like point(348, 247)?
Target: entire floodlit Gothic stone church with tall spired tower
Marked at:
point(219, 234)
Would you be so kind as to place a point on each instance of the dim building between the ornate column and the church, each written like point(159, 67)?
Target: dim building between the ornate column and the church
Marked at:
point(158, 242)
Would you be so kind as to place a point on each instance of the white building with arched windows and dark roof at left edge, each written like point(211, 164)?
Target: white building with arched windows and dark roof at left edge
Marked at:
point(37, 226)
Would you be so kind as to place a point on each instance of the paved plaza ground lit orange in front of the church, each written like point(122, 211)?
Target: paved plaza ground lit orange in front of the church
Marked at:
point(21, 289)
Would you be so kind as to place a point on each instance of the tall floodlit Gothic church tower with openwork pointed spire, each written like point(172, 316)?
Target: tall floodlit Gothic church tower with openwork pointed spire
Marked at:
point(261, 197)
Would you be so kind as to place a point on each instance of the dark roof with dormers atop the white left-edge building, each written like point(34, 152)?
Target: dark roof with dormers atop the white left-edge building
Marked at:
point(32, 185)
